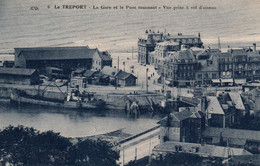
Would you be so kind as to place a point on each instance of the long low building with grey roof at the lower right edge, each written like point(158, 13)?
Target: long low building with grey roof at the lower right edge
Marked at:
point(246, 139)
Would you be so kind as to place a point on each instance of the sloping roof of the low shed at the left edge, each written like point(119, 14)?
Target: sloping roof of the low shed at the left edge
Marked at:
point(17, 71)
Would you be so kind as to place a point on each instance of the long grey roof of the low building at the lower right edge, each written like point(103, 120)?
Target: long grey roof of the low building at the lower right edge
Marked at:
point(232, 133)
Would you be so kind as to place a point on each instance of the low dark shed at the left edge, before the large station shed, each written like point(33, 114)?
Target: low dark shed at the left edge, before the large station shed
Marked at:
point(19, 76)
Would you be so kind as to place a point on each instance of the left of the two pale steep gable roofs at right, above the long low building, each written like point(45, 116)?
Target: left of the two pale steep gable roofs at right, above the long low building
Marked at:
point(214, 106)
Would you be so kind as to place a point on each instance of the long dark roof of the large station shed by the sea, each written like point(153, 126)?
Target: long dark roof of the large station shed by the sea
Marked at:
point(42, 53)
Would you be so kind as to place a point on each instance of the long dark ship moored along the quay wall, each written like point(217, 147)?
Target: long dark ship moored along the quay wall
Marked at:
point(71, 101)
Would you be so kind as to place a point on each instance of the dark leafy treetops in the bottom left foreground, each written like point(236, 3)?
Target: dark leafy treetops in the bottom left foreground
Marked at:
point(26, 146)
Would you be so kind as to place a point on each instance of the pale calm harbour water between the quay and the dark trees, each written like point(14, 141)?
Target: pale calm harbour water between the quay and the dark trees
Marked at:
point(72, 123)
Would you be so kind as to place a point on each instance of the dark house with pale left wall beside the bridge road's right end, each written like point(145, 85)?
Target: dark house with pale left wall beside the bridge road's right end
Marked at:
point(184, 126)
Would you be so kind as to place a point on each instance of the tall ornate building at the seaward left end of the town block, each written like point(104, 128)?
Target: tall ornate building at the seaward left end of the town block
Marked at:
point(146, 44)
